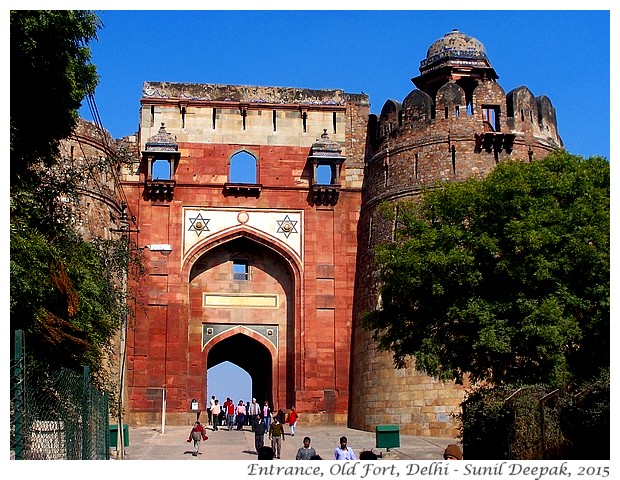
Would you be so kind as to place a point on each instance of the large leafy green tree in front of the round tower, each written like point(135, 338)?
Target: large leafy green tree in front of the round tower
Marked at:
point(505, 279)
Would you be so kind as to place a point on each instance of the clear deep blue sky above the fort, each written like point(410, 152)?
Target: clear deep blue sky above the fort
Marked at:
point(562, 54)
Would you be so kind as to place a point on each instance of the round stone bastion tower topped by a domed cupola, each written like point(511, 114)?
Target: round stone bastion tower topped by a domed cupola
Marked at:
point(456, 124)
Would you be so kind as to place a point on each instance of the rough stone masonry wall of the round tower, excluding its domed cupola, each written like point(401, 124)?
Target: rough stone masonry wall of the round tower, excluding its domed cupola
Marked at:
point(406, 158)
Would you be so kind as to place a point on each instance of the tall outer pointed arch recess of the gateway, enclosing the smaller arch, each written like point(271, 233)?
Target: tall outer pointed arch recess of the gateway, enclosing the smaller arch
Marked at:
point(243, 307)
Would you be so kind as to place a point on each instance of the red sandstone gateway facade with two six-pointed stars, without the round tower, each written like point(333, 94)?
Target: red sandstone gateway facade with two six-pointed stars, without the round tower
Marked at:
point(261, 270)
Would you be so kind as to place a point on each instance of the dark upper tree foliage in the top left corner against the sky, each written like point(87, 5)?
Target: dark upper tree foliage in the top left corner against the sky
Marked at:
point(50, 75)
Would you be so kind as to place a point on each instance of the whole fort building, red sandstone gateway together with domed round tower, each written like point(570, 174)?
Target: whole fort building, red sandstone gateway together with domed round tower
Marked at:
point(273, 272)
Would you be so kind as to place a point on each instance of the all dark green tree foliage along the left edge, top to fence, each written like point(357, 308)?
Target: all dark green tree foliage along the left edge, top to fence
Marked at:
point(66, 293)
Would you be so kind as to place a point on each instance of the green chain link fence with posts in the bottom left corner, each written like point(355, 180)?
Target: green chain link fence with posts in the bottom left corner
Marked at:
point(56, 414)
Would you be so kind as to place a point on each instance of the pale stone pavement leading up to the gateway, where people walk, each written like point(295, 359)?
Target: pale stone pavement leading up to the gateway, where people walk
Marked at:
point(148, 443)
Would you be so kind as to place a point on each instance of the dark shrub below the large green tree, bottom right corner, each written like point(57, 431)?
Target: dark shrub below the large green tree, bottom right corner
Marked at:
point(537, 422)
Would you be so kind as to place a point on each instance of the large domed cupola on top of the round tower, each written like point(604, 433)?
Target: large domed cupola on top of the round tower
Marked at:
point(454, 57)
